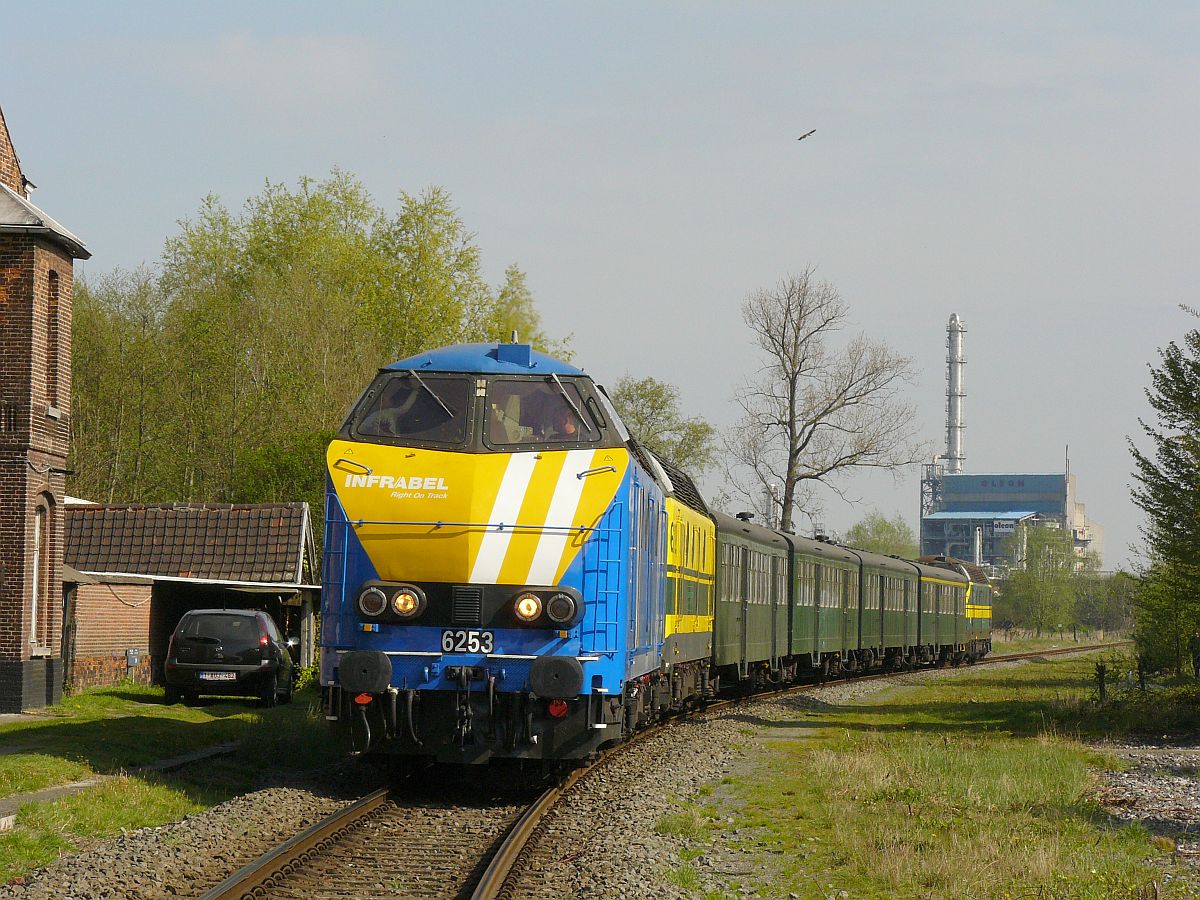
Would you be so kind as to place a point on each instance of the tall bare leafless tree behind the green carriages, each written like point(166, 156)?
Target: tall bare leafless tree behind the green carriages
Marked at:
point(815, 412)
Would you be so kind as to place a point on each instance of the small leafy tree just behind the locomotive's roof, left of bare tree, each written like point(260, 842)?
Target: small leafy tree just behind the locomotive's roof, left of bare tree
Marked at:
point(651, 411)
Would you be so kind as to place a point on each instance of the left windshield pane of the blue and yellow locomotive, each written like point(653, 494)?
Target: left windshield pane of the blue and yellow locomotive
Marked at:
point(413, 407)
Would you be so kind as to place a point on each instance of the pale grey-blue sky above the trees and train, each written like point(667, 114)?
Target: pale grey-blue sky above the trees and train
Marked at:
point(1031, 167)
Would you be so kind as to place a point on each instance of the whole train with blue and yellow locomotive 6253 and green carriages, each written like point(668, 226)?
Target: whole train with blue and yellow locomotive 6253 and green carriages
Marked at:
point(511, 575)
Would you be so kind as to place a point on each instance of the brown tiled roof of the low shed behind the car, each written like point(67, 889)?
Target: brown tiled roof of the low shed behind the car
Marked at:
point(227, 543)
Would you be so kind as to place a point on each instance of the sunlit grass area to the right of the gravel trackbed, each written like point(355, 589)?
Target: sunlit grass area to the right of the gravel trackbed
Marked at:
point(967, 788)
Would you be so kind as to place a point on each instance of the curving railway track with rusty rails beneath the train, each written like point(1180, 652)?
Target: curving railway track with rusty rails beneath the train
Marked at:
point(446, 842)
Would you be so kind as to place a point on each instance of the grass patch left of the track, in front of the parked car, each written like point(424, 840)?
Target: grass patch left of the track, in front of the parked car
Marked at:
point(112, 731)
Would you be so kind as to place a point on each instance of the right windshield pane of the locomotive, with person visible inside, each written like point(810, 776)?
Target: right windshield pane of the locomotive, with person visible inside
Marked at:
point(538, 412)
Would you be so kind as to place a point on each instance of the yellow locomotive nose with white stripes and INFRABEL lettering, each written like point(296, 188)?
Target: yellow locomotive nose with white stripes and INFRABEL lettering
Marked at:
point(491, 519)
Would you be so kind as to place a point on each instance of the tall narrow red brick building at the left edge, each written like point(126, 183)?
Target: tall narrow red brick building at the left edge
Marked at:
point(37, 269)
